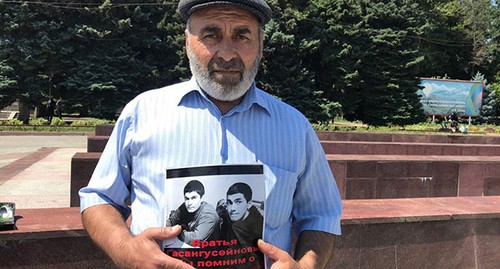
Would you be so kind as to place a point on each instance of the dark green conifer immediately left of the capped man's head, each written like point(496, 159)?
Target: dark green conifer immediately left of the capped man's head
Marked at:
point(120, 51)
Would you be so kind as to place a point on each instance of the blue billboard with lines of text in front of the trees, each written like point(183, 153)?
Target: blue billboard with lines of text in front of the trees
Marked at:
point(442, 97)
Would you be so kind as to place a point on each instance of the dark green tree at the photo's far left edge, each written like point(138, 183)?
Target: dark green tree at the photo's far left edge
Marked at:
point(30, 44)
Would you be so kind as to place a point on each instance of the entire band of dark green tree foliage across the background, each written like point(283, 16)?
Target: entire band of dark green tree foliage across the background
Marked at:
point(363, 57)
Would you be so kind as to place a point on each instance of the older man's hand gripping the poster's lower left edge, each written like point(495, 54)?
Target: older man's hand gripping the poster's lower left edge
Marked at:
point(142, 251)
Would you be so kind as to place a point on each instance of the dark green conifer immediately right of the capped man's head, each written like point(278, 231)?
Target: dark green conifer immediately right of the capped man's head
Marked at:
point(286, 77)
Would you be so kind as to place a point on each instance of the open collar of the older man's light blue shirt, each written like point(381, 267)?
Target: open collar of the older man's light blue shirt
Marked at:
point(253, 96)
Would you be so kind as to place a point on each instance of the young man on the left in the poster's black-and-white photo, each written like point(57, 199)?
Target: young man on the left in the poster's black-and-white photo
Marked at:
point(198, 219)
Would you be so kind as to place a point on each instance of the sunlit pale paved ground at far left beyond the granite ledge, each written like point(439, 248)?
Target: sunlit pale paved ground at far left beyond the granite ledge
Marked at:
point(35, 170)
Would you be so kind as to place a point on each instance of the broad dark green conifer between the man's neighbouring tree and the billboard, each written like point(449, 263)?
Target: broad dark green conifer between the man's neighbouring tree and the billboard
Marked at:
point(367, 60)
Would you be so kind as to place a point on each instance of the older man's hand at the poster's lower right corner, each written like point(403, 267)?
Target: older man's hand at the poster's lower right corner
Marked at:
point(283, 260)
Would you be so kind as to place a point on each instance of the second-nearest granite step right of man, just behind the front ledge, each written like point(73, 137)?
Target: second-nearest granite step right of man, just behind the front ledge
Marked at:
point(402, 176)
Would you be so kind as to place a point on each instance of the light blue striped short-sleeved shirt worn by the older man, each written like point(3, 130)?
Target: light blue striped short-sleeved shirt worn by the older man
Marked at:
point(179, 126)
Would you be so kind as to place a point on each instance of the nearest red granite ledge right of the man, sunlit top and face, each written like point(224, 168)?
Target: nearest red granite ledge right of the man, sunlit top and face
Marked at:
point(449, 232)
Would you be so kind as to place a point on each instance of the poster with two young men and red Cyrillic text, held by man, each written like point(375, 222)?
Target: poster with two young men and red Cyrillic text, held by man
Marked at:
point(221, 211)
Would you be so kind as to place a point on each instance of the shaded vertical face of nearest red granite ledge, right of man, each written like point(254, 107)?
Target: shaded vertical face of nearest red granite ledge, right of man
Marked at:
point(472, 243)
